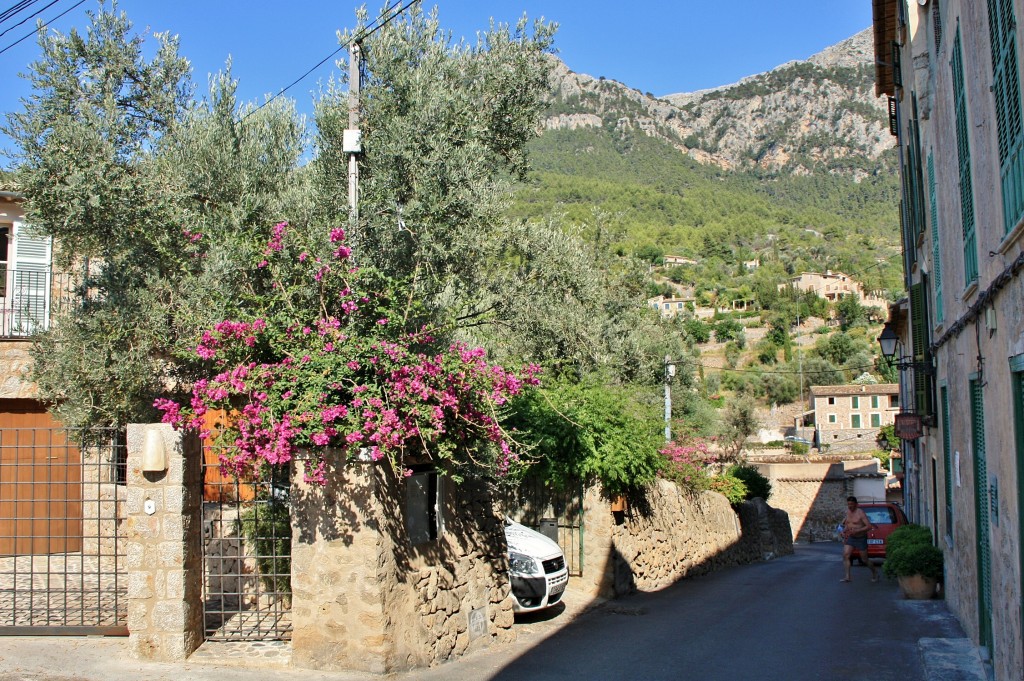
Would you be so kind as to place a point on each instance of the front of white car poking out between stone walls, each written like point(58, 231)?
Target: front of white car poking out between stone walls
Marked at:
point(537, 569)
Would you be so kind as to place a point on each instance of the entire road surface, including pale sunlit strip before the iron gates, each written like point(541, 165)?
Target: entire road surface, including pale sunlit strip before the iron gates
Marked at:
point(790, 620)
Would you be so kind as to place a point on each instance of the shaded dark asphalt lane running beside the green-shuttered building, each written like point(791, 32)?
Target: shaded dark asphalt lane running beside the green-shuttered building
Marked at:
point(790, 620)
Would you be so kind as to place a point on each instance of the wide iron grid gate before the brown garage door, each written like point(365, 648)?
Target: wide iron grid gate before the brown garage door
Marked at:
point(62, 532)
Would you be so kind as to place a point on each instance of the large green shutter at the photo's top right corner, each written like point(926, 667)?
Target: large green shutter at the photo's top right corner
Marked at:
point(1006, 91)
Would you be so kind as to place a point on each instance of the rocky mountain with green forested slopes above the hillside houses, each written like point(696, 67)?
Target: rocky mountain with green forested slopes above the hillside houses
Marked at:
point(795, 164)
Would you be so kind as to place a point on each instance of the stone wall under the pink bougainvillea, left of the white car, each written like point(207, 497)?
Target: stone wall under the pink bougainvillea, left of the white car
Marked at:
point(365, 599)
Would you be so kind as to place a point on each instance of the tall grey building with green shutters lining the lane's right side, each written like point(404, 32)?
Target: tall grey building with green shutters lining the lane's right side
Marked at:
point(952, 73)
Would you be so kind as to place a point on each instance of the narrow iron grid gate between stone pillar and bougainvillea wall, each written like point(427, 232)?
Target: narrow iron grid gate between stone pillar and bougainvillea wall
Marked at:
point(247, 556)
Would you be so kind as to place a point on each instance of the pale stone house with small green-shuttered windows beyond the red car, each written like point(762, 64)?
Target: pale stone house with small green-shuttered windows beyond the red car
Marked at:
point(847, 418)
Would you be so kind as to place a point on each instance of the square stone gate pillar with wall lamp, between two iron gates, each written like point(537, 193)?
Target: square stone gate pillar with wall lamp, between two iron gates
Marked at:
point(164, 556)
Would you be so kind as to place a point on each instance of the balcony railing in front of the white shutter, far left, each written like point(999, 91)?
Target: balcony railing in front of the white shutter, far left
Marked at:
point(30, 297)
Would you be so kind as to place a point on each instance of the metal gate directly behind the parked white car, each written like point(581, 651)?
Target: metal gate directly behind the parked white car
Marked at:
point(553, 513)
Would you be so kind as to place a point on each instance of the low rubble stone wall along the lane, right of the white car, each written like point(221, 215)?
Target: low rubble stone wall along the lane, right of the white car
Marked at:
point(670, 536)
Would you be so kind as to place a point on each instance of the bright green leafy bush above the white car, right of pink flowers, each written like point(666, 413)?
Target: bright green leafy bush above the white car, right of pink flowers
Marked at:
point(590, 432)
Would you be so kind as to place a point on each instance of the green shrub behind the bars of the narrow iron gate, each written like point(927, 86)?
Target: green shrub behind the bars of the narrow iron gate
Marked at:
point(268, 527)
